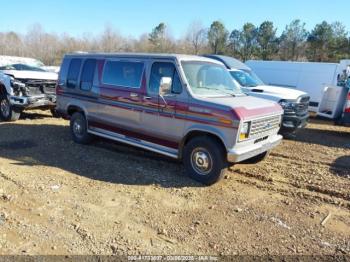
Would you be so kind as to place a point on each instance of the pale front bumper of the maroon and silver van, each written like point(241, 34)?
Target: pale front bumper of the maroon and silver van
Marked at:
point(239, 155)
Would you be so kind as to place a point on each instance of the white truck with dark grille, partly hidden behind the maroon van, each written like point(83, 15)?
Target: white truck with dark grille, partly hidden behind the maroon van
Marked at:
point(294, 102)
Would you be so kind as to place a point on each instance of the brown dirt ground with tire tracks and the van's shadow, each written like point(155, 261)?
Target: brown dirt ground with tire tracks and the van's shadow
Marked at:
point(57, 197)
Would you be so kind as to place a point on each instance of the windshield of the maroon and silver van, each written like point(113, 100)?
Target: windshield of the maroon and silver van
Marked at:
point(209, 79)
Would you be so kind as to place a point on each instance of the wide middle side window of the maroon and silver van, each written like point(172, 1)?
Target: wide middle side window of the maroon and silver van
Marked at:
point(123, 74)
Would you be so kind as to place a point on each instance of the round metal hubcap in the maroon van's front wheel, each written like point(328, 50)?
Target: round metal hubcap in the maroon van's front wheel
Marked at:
point(201, 161)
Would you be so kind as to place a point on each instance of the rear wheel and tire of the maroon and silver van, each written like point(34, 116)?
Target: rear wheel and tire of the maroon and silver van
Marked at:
point(78, 128)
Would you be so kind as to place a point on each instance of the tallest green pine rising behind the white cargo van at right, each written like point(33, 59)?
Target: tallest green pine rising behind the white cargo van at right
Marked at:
point(292, 41)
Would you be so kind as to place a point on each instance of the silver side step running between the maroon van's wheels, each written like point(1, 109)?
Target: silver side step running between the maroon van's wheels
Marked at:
point(166, 151)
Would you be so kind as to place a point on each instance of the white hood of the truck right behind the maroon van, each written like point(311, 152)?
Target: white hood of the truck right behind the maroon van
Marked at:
point(275, 93)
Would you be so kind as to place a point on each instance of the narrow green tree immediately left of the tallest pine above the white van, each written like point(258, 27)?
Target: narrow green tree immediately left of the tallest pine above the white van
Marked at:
point(266, 38)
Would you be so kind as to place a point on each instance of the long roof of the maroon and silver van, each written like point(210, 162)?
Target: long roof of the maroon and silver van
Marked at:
point(179, 57)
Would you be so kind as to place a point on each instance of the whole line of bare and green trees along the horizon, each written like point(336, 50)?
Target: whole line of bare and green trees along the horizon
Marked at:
point(326, 42)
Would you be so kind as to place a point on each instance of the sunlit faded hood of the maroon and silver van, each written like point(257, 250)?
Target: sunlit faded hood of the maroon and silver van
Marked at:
point(246, 107)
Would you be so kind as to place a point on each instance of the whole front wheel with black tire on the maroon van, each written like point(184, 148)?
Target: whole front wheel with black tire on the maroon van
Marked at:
point(204, 160)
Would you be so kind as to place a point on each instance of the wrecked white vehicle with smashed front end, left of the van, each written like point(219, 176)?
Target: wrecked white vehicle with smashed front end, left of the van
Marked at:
point(24, 87)
